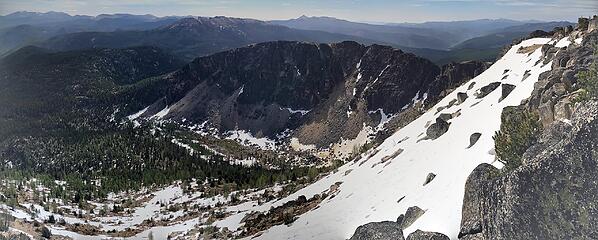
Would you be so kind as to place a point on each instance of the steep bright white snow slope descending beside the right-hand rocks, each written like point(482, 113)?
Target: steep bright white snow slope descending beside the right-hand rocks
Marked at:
point(371, 190)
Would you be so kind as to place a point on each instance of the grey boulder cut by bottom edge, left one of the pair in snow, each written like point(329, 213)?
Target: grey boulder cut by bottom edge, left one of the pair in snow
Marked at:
point(387, 230)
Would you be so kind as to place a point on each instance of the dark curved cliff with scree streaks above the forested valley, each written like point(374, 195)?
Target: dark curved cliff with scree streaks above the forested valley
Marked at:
point(270, 87)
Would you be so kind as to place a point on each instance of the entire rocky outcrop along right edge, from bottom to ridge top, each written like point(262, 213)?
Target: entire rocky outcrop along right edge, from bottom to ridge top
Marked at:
point(552, 194)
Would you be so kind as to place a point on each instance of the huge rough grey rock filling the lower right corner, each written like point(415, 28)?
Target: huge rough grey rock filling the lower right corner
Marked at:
point(552, 195)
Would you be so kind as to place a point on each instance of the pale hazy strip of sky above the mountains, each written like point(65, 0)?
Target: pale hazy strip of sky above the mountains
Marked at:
point(357, 10)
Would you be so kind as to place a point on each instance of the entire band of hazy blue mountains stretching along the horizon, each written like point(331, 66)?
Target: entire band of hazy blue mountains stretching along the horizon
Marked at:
point(190, 37)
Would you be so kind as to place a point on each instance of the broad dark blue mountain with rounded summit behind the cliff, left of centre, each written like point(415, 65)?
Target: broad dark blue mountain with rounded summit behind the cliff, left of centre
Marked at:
point(189, 38)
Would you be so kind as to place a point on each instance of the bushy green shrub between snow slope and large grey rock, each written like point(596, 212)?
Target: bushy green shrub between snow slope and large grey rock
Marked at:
point(518, 131)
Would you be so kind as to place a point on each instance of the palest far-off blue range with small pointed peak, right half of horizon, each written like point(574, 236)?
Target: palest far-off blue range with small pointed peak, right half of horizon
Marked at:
point(432, 35)
